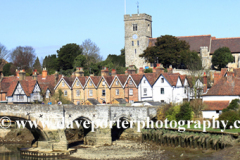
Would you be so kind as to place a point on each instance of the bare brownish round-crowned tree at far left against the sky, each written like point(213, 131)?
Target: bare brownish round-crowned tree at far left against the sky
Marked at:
point(23, 57)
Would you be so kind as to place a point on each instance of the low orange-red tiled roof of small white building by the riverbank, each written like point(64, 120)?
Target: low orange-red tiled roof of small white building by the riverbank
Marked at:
point(215, 105)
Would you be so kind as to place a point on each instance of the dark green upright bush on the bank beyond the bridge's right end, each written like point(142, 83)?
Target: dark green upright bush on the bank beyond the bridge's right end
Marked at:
point(185, 112)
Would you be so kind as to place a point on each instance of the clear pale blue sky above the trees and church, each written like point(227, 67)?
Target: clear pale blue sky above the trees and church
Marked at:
point(47, 25)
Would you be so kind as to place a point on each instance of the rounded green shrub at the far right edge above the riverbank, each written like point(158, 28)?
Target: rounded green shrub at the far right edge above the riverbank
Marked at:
point(230, 116)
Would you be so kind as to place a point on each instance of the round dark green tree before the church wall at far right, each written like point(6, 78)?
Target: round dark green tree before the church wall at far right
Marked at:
point(221, 57)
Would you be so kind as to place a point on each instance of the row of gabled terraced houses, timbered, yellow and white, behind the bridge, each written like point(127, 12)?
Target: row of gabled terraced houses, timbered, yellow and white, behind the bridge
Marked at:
point(109, 88)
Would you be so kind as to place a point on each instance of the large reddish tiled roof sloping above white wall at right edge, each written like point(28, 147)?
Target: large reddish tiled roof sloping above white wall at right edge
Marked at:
point(223, 87)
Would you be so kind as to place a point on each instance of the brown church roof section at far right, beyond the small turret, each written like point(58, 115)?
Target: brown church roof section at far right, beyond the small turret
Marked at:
point(232, 43)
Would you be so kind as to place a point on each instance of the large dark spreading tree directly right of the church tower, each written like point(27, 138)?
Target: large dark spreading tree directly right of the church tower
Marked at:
point(168, 49)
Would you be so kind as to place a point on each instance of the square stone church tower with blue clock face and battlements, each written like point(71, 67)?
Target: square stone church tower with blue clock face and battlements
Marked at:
point(138, 29)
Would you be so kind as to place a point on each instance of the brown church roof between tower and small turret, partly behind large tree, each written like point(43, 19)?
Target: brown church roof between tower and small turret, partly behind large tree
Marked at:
point(195, 42)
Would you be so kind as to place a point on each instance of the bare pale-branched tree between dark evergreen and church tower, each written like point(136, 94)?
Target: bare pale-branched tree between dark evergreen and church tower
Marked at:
point(91, 51)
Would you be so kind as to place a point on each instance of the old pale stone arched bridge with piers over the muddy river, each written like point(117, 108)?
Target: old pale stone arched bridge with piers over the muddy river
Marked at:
point(52, 135)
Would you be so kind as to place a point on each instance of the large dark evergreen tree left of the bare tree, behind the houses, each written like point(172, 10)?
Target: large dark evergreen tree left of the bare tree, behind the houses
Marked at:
point(67, 54)
